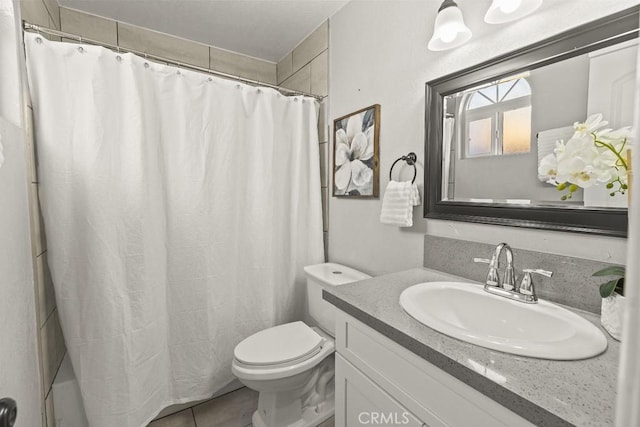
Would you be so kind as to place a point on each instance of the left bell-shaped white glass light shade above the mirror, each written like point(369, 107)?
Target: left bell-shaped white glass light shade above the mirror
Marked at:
point(450, 30)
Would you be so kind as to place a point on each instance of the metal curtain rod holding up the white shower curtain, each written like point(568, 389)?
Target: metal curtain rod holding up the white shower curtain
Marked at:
point(38, 29)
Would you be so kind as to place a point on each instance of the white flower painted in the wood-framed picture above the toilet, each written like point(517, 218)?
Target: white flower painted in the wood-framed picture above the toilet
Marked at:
point(353, 148)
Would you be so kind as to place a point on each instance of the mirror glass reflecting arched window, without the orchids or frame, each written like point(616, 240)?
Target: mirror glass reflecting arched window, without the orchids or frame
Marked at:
point(496, 133)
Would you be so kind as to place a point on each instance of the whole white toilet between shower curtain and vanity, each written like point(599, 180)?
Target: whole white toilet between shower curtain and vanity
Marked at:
point(291, 366)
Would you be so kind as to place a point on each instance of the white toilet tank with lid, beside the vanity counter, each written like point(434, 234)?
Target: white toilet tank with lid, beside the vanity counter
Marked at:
point(327, 275)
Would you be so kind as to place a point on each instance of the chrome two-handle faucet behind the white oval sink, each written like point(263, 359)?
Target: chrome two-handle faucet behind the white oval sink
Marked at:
point(525, 292)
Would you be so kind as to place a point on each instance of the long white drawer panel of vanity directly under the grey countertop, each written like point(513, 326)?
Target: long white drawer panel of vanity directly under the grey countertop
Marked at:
point(431, 394)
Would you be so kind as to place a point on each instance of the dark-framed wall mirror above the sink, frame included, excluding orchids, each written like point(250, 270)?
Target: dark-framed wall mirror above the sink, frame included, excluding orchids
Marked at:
point(488, 127)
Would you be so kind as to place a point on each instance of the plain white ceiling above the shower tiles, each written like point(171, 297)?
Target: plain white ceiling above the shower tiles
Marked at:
point(266, 29)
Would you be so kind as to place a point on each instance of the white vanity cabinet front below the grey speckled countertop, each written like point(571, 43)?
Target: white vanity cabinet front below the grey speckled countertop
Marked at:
point(379, 382)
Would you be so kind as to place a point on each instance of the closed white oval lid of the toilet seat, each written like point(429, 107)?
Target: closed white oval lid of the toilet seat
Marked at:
point(279, 345)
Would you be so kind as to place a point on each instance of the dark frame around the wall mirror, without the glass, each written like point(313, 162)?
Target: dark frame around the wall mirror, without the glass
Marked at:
point(595, 35)
